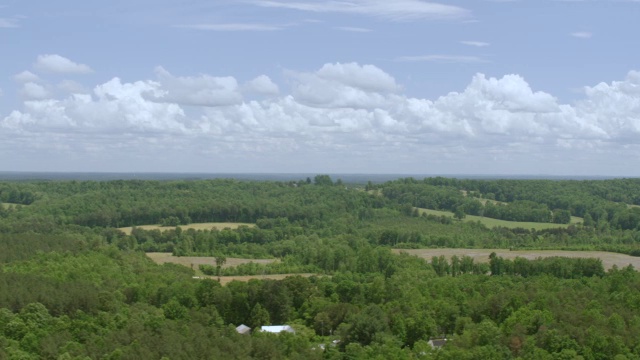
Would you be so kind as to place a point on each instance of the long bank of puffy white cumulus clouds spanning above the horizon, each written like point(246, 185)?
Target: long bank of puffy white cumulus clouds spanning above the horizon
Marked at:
point(350, 111)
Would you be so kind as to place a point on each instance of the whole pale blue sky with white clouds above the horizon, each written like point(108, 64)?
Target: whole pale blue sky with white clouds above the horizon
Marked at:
point(528, 87)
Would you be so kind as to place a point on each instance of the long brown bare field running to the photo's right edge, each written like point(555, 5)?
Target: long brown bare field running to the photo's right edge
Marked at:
point(482, 255)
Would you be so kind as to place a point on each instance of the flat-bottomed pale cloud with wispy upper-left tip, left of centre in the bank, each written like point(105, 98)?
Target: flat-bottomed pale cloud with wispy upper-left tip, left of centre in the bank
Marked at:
point(203, 90)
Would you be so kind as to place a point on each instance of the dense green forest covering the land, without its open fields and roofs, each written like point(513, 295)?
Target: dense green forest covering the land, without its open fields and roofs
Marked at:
point(75, 286)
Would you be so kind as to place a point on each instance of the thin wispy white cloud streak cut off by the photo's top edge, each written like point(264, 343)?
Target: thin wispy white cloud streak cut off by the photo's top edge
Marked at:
point(397, 10)
